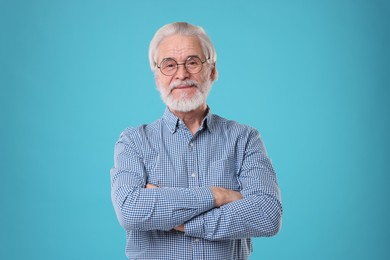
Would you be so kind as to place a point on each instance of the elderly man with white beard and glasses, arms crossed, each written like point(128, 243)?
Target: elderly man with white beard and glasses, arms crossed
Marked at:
point(191, 185)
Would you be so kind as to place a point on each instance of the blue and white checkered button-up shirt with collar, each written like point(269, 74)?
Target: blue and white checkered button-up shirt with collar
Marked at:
point(184, 167)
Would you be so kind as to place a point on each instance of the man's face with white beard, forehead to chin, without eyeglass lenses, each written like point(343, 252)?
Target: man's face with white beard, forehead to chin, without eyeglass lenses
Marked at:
point(183, 92)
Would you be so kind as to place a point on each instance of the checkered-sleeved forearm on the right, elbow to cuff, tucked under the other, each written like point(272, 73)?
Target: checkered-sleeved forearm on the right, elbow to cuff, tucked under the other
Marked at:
point(250, 217)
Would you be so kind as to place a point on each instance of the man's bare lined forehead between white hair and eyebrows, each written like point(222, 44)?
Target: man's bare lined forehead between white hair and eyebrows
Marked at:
point(179, 47)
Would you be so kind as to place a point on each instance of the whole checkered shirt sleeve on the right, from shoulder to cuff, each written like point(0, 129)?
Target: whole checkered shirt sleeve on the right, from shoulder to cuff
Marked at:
point(259, 213)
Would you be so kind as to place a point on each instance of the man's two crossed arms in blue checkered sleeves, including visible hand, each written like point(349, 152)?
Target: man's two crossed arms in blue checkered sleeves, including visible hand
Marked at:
point(213, 213)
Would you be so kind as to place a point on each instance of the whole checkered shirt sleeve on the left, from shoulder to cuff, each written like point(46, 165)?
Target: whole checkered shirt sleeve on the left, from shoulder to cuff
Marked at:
point(138, 208)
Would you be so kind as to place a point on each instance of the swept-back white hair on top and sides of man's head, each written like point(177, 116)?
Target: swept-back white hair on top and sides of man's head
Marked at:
point(186, 29)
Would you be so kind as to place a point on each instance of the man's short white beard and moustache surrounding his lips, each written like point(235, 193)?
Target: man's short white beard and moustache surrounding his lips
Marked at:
point(185, 103)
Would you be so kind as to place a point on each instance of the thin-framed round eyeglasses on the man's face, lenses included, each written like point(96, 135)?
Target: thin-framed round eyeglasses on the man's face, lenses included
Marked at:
point(193, 65)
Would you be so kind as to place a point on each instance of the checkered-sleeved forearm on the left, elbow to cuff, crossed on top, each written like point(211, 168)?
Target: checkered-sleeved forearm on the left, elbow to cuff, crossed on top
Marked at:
point(158, 209)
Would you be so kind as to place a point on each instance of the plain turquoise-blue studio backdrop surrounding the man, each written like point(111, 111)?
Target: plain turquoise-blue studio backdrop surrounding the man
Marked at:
point(312, 76)
